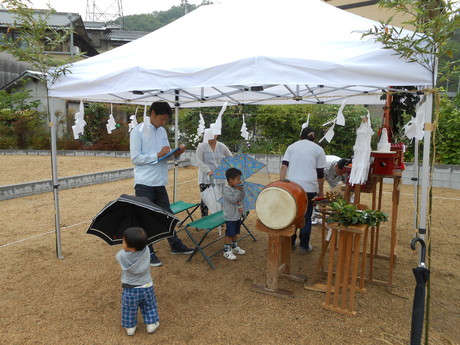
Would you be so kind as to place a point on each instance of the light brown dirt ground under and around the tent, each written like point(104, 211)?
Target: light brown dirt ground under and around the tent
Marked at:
point(76, 300)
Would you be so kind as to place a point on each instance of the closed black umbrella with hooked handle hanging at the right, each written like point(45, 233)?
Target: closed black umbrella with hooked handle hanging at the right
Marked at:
point(422, 275)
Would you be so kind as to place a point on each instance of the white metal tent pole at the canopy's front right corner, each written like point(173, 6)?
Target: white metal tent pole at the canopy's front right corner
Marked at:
point(425, 169)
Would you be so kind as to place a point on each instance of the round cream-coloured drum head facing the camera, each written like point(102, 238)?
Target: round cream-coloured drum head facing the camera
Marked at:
point(276, 208)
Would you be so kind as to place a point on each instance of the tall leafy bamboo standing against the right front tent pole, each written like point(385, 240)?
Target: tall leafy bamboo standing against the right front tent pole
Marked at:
point(433, 23)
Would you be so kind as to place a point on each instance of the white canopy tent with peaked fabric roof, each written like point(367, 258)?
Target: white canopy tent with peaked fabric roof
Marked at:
point(245, 52)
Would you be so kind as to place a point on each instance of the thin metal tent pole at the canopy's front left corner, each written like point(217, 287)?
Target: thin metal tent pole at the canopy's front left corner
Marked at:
point(57, 217)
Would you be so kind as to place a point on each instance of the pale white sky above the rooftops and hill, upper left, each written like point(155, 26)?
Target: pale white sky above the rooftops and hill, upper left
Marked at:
point(110, 6)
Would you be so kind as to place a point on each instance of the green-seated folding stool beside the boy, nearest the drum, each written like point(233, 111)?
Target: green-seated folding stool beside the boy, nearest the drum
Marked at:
point(209, 223)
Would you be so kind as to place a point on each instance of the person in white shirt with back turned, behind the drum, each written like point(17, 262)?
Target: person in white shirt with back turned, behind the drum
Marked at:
point(304, 163)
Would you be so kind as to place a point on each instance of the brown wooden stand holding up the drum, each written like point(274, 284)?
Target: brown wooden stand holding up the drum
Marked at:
point(278, 261)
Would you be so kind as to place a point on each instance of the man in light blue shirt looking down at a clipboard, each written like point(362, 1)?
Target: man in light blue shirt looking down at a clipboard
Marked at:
point(149, 146)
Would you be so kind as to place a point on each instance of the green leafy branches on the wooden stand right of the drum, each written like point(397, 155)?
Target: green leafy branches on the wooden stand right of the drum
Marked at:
point(348, 214)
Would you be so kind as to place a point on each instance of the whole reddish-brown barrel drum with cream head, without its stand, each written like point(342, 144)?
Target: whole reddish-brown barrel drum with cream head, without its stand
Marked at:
point(281, 204)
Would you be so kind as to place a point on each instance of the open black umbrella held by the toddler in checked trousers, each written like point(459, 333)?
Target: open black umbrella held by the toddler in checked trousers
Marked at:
point(128, 211)
